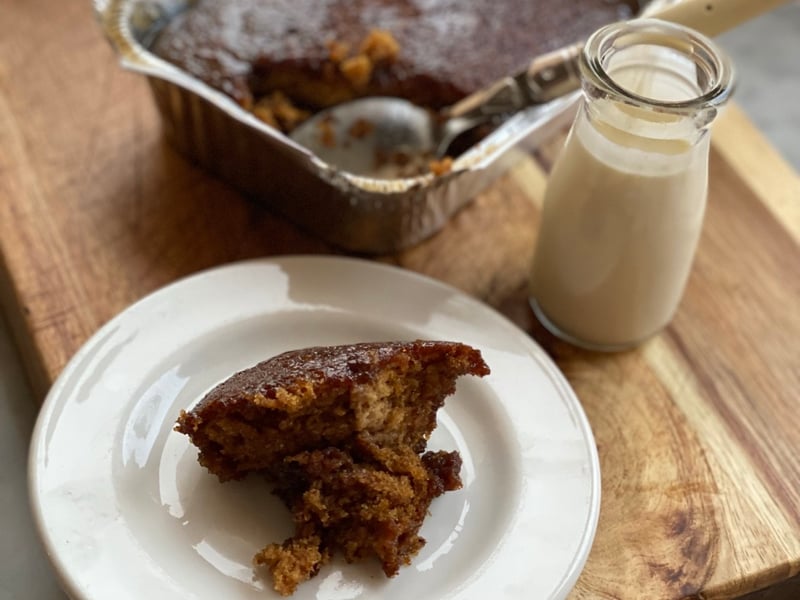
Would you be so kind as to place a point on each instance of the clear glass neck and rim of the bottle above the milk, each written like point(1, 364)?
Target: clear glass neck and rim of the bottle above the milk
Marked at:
point(654, 84)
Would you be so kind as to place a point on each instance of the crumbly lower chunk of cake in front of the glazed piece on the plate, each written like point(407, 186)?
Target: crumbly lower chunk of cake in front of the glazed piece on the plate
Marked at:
point(367, 502)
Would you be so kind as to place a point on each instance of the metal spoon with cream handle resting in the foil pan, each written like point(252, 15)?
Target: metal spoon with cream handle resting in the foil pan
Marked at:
point(386, 137)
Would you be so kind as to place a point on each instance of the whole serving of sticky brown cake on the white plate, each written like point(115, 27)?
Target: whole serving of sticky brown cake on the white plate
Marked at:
point(340, 433)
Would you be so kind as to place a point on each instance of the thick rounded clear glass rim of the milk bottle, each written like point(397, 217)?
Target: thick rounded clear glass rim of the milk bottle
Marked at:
point(654, 32)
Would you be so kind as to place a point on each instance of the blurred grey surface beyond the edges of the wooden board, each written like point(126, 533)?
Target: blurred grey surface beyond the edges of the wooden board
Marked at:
point(766, 53)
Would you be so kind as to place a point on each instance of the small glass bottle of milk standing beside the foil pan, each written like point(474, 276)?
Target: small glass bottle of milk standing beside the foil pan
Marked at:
point(625, 200)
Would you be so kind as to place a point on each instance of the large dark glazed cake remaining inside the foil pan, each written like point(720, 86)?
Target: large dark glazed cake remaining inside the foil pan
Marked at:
point(321, 52)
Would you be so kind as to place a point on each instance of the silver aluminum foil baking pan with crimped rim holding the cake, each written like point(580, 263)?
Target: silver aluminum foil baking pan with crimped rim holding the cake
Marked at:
point(356, 213)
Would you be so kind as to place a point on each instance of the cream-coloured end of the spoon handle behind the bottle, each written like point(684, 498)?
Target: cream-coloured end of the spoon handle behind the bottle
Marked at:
point(713, 17)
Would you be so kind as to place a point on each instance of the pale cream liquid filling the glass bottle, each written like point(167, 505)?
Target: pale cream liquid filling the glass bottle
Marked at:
point(621, 221)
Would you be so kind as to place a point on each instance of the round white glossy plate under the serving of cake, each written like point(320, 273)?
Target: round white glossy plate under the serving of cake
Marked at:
point(125, 511)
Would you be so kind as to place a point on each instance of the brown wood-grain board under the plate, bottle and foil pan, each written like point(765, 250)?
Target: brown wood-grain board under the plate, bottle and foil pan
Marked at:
point(698, 430)
